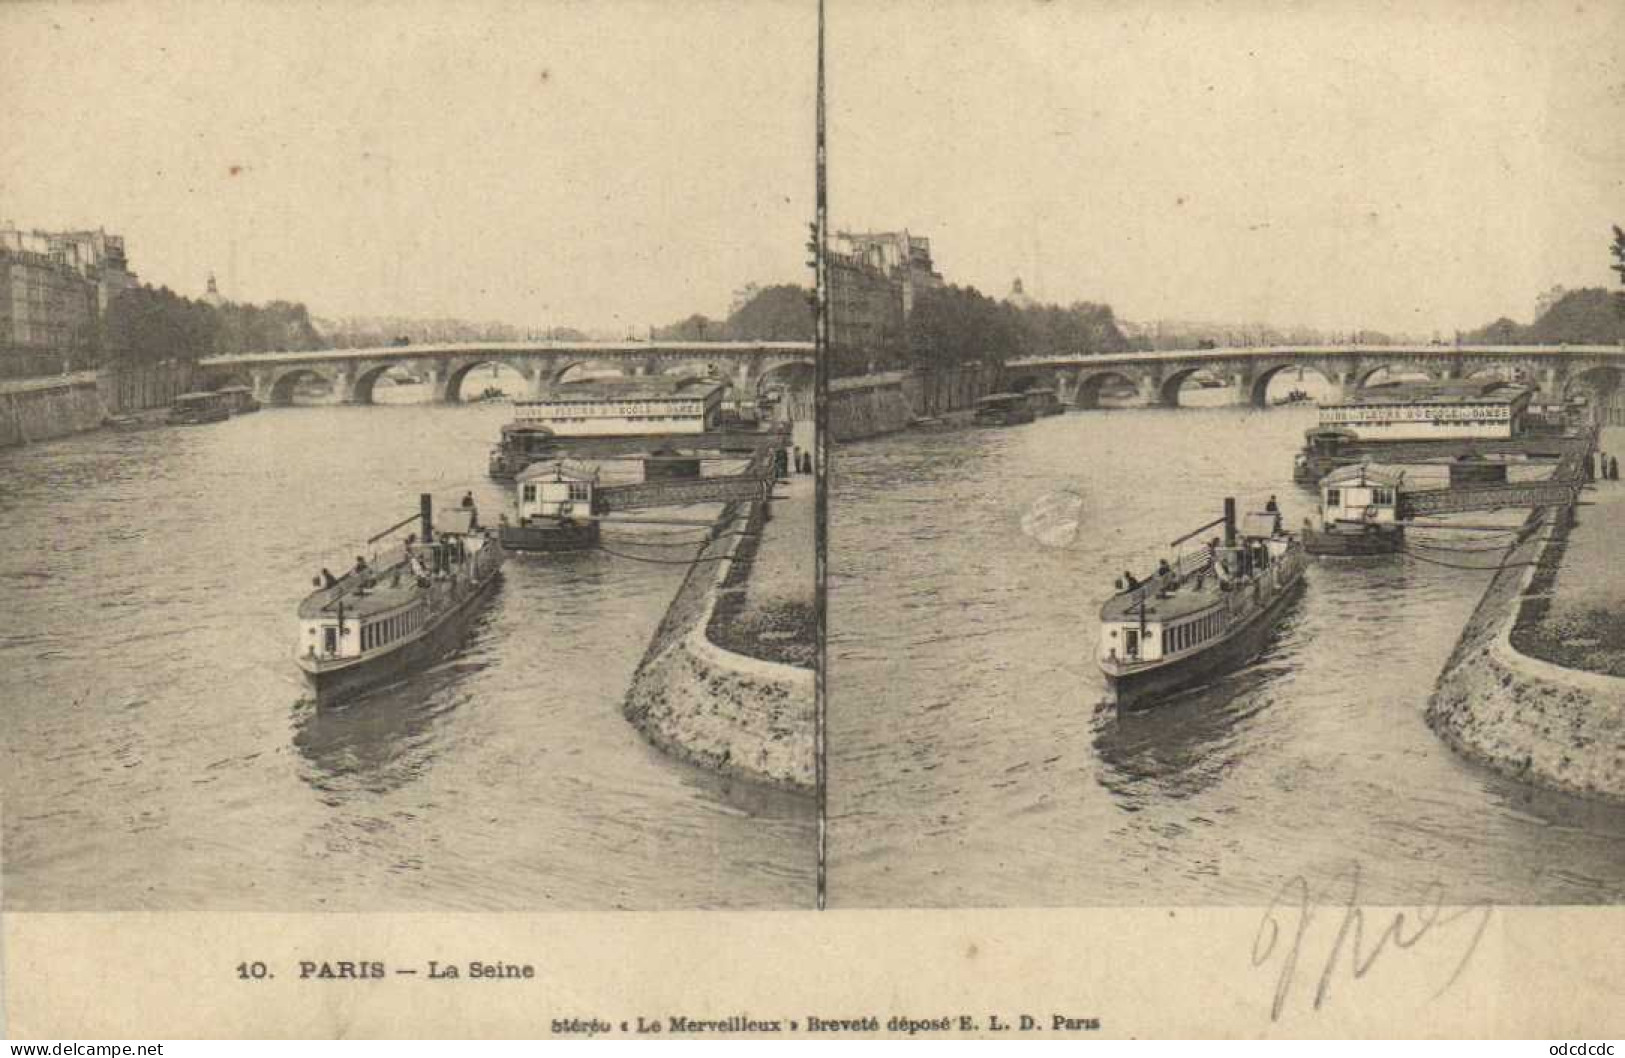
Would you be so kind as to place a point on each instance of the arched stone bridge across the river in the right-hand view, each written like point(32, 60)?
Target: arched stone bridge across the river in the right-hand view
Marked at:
point(1158, 378)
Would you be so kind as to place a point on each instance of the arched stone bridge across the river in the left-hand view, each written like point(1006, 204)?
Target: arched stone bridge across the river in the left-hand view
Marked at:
point(747, 366)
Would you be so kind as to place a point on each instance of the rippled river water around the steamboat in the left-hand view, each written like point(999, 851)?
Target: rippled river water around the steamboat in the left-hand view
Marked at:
point(160, 752)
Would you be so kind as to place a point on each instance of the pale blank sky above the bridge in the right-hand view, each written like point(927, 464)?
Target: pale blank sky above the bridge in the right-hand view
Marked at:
point(1402, 167)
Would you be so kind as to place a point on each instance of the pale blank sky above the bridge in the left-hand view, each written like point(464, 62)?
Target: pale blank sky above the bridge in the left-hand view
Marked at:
point(594, 165)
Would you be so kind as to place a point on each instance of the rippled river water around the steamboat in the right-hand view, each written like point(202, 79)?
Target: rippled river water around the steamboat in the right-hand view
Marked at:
point(973, 763)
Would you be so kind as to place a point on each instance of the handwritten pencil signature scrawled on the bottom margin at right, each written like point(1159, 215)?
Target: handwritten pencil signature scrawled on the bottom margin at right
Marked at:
point(1291, 913)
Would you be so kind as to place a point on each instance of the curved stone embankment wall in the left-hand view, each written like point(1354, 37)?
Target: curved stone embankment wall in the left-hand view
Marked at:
point(714, 708)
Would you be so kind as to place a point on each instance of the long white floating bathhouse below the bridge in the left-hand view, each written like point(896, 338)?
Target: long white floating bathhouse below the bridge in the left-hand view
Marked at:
point(626, 407)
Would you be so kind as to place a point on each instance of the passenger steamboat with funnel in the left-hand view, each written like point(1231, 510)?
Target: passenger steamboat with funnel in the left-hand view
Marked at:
point(375, 627)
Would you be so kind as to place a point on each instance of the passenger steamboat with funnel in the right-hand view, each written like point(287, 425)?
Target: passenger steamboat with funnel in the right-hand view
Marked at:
point(1210, 614)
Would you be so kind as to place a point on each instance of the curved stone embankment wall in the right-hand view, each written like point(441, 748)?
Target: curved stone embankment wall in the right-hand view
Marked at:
point(1530, 719)
